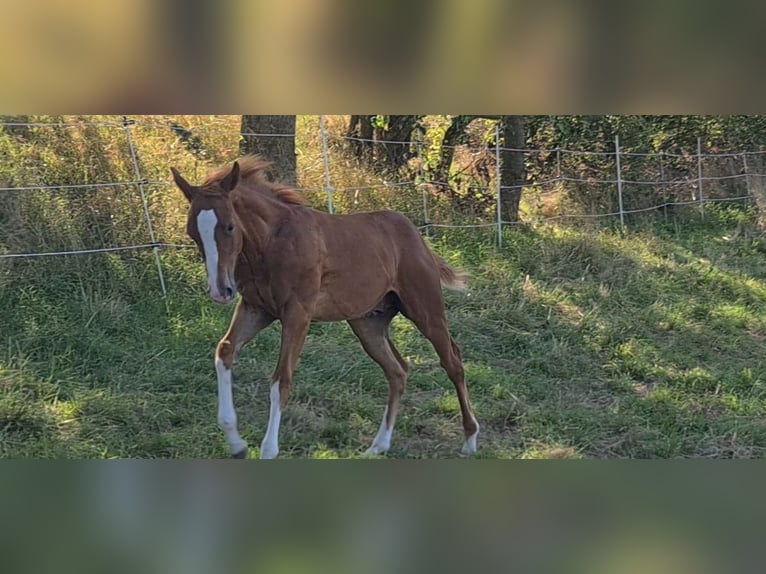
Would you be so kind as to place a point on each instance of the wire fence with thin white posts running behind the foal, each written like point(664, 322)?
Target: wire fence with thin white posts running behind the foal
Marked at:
point(612, 183)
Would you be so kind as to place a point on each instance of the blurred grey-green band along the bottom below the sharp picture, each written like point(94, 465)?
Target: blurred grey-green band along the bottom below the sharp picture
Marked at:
point(377, 517)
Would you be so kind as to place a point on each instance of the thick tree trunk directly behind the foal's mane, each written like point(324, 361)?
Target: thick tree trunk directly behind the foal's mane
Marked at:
point(280, 150)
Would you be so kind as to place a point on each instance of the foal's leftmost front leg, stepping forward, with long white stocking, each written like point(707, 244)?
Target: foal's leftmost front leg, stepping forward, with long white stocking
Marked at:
point(245, 324)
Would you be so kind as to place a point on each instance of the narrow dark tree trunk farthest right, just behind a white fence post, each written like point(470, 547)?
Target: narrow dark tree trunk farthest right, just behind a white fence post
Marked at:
point(512, 173)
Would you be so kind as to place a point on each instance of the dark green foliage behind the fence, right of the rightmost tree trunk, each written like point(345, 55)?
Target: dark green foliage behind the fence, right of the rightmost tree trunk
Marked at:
point(676, 137)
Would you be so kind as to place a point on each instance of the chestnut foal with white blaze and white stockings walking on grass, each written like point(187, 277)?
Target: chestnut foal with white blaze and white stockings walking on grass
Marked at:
point(295, 264)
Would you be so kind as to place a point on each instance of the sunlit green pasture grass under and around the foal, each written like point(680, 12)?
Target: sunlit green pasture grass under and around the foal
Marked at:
point(578, 343)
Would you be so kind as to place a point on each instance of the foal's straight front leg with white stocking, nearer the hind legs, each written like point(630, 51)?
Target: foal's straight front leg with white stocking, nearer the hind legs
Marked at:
point(295, 326)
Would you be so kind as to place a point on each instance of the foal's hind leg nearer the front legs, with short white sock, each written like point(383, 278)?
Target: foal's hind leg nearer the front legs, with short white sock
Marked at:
point(373, 334)
